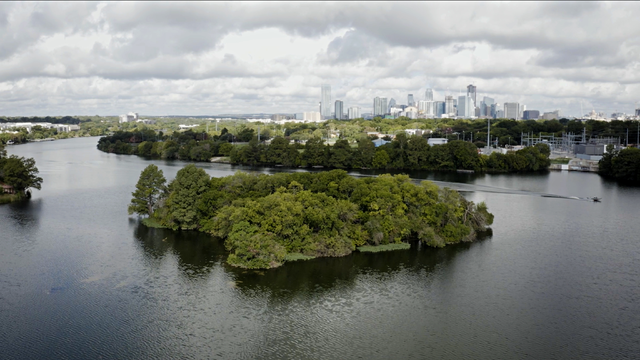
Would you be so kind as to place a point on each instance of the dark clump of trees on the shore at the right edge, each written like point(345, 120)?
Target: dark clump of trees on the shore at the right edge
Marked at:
point(621, 165)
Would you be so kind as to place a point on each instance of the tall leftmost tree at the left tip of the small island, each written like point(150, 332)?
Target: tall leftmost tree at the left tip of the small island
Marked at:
point(150, 189)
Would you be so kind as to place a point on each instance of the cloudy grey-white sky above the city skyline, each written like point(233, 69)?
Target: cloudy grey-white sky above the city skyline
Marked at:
point(181, 58)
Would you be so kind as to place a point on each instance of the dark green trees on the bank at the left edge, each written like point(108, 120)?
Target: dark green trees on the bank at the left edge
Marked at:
point(20, 174)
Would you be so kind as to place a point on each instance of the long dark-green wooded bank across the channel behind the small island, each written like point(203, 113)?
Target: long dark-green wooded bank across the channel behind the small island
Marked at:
point(403, 153)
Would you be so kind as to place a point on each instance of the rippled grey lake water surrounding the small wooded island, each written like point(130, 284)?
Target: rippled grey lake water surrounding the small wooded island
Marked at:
point(80, 279)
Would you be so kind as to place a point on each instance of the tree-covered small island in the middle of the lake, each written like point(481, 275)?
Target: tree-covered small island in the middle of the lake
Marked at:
point(265, 218)
